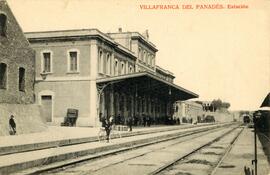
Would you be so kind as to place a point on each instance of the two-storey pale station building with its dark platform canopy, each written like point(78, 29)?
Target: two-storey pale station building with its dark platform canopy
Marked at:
point(102, 74)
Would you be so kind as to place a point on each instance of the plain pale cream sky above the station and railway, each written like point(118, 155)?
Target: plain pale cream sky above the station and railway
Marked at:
point(216, 53)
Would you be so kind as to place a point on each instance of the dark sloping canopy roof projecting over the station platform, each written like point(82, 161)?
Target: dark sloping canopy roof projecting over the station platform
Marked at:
point(147, 83)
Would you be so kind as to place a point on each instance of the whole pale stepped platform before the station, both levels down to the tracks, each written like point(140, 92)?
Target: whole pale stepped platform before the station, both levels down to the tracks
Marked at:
point(60, 143)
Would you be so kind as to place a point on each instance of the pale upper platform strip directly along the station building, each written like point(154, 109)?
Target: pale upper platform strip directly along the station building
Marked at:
point(56, 136)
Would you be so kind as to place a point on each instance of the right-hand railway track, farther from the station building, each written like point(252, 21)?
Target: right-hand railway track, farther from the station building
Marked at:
point(196, 156)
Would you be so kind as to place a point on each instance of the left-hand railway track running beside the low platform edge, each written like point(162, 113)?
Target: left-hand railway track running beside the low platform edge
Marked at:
point(110, 160)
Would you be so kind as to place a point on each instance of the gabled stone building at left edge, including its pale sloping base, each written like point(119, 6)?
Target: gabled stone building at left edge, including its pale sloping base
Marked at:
point(17, 67)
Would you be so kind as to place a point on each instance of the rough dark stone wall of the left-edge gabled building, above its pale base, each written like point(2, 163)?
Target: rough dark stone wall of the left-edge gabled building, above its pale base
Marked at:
point(15, 52)
